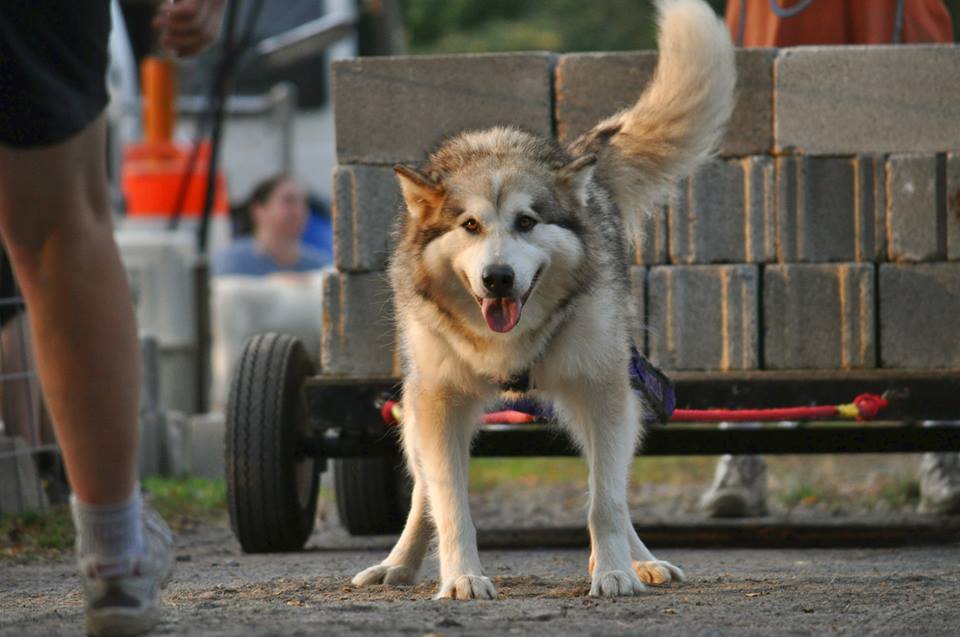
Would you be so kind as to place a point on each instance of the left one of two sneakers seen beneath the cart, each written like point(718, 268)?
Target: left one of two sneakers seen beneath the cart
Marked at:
point(739, 488)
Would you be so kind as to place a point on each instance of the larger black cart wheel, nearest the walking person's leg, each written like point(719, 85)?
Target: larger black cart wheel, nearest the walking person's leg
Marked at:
point(271, 482)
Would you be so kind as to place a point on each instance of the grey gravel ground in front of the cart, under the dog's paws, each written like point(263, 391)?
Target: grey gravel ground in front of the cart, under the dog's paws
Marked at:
point(220, 591)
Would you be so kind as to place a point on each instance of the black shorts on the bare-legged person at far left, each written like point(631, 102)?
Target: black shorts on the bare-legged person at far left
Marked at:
point(53, 69)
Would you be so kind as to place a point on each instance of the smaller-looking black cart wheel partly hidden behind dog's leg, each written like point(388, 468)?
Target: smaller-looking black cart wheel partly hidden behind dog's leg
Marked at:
point(373, 494)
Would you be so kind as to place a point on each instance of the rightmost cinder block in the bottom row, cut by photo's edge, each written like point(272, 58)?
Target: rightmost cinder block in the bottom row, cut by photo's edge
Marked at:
point(919, 310)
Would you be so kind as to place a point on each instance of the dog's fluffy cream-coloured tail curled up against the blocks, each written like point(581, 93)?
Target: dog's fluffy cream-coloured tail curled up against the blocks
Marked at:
point(677, 122)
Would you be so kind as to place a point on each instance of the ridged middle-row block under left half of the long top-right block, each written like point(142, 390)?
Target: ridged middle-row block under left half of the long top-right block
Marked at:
point(828, 209)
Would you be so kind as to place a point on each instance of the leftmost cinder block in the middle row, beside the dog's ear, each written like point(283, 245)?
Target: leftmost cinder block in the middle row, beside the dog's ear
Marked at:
point(366, 202)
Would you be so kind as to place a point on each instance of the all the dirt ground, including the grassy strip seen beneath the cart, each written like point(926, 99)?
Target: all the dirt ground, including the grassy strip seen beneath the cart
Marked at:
point(744, 591)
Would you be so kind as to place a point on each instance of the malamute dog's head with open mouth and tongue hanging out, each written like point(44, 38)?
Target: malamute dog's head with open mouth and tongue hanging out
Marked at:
point(496, 221)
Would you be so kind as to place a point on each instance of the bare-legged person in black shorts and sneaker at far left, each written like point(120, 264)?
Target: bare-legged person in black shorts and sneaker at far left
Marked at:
point(57, 226)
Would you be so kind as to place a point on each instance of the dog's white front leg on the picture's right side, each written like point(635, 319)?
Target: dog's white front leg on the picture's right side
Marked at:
point(604, 418)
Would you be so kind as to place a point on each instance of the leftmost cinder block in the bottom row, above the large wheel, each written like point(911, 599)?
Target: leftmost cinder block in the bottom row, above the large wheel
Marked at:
point(358, 335)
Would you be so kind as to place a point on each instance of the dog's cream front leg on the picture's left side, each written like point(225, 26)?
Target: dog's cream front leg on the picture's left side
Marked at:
point(440, 431)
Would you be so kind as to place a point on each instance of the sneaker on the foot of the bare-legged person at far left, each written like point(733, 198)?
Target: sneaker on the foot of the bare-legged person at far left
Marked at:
point(123, 597)
